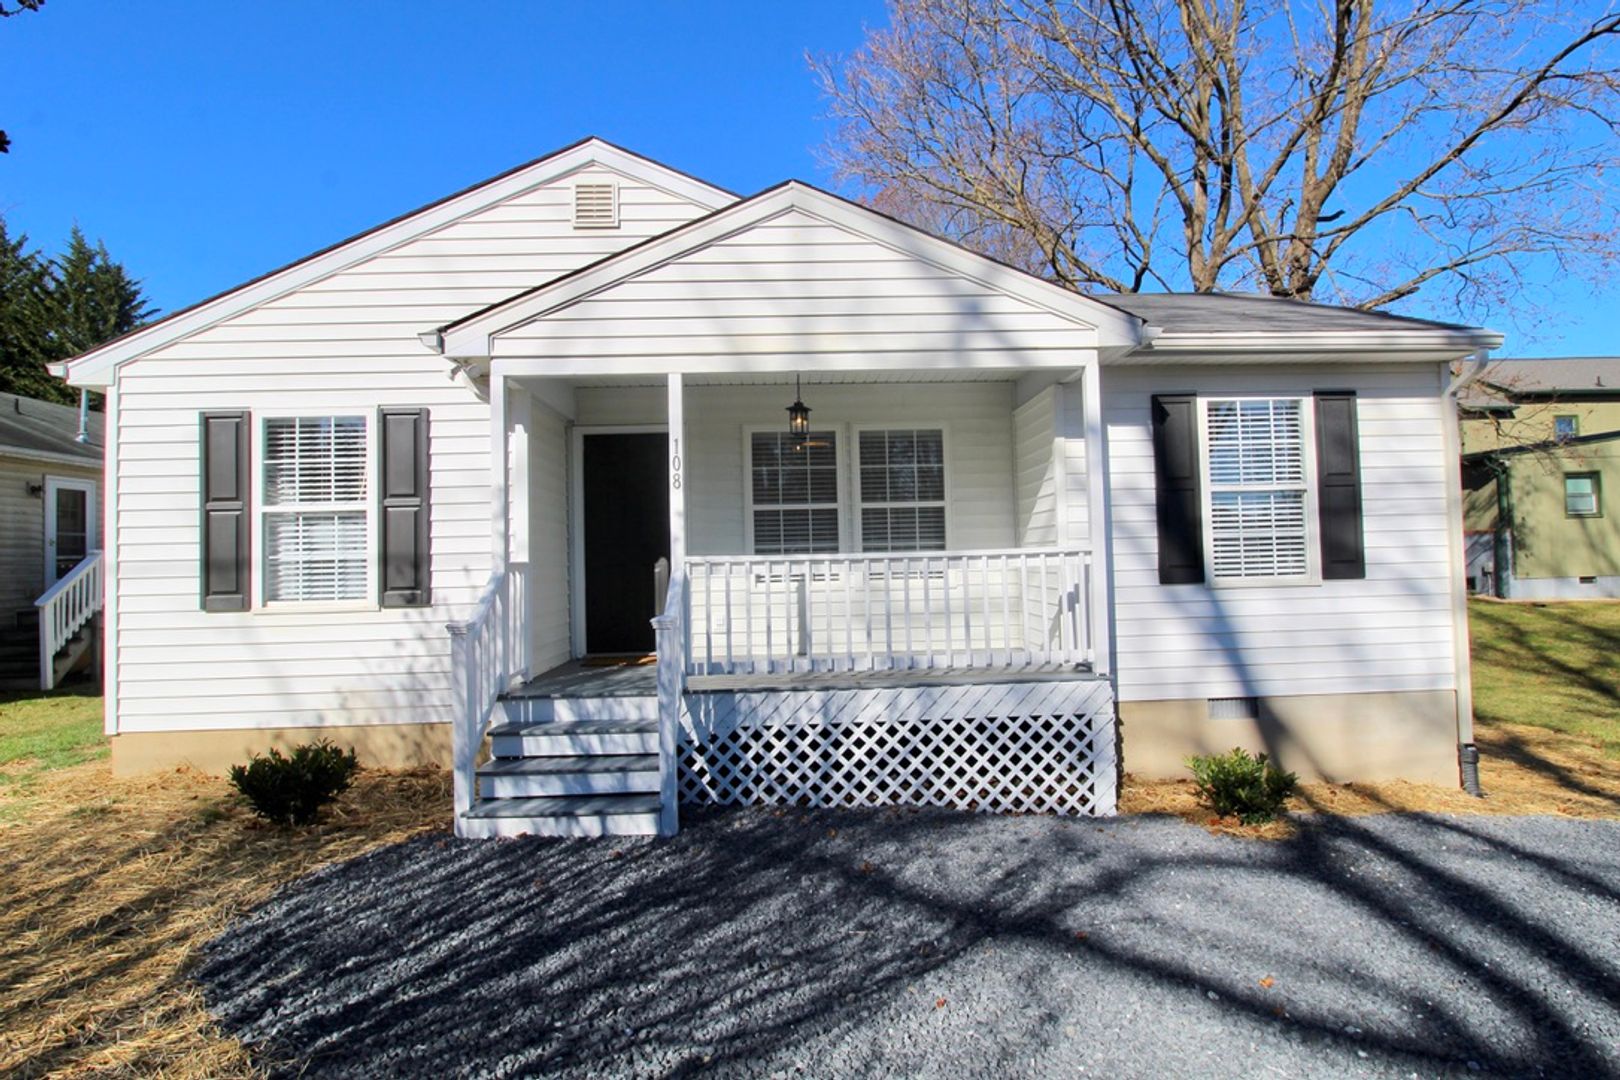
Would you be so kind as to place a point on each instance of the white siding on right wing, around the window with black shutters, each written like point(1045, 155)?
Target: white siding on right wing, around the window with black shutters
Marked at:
point(1384, 634)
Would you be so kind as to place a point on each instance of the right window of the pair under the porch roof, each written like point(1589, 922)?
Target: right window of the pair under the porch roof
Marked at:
point(903, 490)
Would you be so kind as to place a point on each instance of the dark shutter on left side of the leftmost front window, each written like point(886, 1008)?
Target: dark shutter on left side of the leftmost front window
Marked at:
point(224, 487)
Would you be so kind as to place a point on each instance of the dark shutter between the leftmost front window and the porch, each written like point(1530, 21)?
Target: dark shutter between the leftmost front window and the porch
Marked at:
point(403, 511)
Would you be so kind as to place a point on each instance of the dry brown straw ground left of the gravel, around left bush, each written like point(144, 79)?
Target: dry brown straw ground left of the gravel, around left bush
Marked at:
point(111, 888)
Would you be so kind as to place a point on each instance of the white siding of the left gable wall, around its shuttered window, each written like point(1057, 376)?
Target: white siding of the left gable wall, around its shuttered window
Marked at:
point(344, 344)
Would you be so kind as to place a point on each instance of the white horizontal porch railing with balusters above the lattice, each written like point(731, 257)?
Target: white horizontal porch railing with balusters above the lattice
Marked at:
point(1023, 608)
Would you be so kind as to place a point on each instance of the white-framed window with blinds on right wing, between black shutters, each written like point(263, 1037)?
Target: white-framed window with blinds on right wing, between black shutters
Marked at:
point(1260, 488)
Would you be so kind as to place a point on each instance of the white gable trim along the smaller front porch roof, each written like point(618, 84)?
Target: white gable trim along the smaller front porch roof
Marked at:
point(471, 336)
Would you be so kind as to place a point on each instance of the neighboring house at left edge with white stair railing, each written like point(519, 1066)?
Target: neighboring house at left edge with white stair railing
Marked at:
point(51, 517)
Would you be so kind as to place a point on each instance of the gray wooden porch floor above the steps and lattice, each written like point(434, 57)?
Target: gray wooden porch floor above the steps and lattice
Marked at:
point(634, 681)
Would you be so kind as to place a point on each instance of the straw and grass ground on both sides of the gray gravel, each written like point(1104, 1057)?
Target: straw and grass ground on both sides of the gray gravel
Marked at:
point(114, 885)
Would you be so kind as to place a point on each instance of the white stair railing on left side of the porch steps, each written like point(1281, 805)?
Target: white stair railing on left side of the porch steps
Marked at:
point(487, 658)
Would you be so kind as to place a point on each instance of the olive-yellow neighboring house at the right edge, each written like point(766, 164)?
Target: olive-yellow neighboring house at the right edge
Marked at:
point(1541, 453)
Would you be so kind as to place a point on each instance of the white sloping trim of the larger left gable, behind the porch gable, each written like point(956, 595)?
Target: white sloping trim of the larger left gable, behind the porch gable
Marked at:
point(96, 367)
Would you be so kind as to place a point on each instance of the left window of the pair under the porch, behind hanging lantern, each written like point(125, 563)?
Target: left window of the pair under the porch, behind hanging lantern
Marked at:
point(795, 488)
